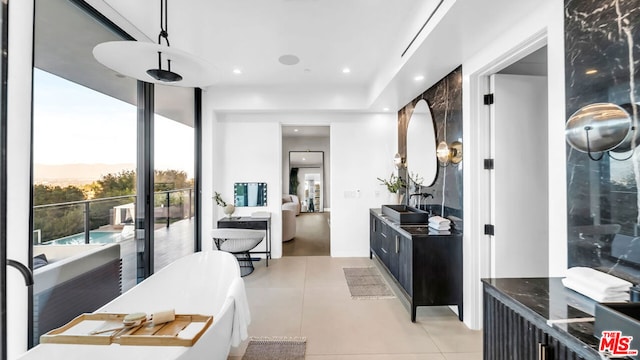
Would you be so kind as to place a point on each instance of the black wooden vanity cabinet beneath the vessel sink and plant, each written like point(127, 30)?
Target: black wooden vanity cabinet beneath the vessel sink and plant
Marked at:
point(428, 268)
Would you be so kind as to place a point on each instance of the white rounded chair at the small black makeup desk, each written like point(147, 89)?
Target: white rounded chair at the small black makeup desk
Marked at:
point(238, 242)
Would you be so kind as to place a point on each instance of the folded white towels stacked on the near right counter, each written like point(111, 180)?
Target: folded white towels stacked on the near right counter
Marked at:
point(597, 285)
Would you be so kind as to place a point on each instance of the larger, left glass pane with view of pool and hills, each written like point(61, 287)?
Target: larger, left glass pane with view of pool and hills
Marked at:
point(84, 155)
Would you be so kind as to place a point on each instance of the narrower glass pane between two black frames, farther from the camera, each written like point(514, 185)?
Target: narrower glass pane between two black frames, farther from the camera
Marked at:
point(174, 198)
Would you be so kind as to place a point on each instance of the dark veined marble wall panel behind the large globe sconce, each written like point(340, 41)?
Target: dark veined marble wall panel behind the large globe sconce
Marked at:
point(602, 64)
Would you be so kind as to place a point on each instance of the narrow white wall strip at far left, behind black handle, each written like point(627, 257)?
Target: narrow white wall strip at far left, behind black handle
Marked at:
point(18, 169)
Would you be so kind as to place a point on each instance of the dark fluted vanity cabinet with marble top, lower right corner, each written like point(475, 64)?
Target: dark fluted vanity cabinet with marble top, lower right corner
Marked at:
point(515, 318)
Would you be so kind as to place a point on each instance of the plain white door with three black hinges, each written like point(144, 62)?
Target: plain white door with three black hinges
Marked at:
point(519, 181)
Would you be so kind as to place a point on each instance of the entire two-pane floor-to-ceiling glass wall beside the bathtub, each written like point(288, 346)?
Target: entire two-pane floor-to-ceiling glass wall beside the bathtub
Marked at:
point(87, 169)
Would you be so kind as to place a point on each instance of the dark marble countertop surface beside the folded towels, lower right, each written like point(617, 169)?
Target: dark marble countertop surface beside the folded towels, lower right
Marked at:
point(547, 303)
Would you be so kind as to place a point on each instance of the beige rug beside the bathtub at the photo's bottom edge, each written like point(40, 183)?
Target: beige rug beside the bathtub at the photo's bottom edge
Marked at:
point(276, 348)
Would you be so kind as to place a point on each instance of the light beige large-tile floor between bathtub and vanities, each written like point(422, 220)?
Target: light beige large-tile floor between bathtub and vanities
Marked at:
point(308, 296)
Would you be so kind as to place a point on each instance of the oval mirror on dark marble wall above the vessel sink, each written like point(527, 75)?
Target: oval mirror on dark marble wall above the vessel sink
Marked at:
point(421, 144)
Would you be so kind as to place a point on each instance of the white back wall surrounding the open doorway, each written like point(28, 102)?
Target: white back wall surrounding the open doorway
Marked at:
point(248, 148)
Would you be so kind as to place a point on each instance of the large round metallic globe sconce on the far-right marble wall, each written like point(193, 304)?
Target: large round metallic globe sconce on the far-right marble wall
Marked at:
point(601, 127)
